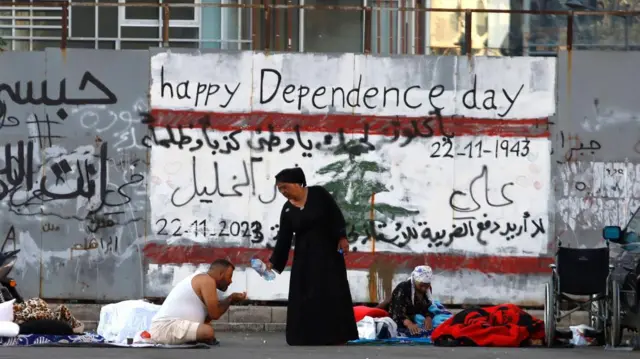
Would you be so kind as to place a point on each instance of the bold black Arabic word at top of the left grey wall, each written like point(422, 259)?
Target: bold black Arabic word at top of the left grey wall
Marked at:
point(15, 93)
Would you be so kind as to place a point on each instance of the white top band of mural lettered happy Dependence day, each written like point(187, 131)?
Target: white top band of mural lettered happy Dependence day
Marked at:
point(241, 74)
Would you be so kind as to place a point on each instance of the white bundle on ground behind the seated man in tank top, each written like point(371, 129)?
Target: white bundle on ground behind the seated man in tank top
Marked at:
point(126, 319)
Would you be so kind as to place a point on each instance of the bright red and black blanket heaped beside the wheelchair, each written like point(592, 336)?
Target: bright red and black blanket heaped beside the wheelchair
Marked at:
point(504, 325)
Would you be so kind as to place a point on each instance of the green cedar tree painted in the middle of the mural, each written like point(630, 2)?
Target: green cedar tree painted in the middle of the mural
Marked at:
point(353, 182)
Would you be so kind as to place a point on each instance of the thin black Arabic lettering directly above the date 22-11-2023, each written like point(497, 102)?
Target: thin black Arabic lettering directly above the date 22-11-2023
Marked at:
point(181, 197)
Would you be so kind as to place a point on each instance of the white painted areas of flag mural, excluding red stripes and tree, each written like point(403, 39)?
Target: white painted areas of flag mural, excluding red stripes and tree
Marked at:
point(415, 180)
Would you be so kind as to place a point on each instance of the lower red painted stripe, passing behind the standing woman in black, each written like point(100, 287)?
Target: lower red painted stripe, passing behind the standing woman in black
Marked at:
point(196, 254)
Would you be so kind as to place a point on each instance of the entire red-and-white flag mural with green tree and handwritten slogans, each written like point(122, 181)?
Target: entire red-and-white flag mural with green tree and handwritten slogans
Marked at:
point(440, 161)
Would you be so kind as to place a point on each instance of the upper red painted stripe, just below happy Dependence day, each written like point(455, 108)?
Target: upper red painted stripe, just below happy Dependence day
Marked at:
point(387, 126)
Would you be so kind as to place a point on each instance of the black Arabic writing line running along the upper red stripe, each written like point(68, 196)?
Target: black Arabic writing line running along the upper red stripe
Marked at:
point(268, 140)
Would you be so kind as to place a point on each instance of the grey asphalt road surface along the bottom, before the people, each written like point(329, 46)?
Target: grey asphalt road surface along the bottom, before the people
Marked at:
point(273, 346)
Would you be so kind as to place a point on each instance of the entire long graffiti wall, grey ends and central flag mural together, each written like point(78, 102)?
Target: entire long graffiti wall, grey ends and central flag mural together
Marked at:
point(123, 194)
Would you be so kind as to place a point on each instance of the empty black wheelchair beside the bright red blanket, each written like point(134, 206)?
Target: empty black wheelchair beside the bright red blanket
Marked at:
point(583, 272)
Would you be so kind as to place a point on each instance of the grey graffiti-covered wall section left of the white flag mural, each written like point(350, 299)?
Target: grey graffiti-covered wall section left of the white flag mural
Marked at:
point(73, 171)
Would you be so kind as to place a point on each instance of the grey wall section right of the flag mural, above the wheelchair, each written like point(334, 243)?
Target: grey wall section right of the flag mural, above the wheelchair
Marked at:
point(596, 148)
